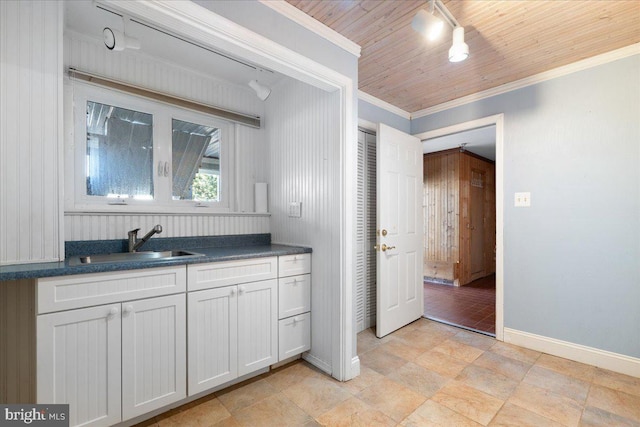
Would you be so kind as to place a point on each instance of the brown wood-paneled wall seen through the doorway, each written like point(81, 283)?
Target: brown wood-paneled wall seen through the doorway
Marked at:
point(447, 198)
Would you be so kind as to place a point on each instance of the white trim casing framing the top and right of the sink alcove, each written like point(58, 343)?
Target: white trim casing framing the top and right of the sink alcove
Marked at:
point(203, 26)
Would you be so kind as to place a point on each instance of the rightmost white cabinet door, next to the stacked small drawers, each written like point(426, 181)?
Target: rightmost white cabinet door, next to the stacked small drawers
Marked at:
point(257, 325)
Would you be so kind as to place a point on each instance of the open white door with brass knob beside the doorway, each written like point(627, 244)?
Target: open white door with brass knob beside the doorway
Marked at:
point(399, 216)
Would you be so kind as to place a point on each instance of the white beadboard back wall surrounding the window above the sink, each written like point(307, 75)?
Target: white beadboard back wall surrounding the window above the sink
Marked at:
point(251, 146)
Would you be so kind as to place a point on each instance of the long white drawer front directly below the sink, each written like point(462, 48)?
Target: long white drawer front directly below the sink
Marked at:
point(85, 290)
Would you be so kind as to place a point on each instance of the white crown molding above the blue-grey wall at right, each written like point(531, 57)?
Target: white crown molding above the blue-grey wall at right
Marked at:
point(584, 64)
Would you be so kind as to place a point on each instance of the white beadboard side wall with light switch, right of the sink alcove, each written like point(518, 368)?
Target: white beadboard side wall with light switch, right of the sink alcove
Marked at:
point(303, 128)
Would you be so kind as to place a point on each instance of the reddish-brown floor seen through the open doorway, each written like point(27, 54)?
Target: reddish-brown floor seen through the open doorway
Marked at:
point(471, 306)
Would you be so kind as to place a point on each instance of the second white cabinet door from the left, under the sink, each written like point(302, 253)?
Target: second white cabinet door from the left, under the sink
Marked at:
point(153, 354)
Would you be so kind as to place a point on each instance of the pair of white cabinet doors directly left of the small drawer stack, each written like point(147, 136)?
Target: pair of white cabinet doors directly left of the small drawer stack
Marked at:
point(232, 331)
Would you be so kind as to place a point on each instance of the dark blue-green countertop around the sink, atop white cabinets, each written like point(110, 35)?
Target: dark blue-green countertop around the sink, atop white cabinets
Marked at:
point(257, 249)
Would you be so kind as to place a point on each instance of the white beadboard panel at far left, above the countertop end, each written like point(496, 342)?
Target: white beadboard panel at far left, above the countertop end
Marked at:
point(30, 127)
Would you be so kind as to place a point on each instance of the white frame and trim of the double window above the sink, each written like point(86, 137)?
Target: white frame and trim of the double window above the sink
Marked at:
point(76, 199)
